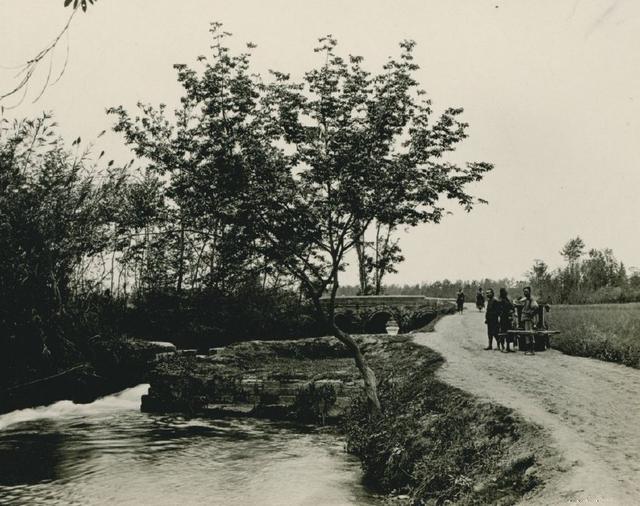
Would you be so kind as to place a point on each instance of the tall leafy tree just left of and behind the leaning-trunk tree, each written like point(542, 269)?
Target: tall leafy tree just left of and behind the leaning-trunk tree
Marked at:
point(201, 157)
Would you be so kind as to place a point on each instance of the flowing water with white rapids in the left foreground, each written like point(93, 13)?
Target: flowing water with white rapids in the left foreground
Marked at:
point(108, 452)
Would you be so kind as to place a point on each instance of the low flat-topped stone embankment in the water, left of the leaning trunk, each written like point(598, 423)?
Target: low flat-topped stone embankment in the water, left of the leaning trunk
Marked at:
point(308, 379)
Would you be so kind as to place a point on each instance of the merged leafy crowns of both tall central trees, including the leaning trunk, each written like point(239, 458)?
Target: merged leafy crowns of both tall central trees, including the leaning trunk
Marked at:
point(286, 176)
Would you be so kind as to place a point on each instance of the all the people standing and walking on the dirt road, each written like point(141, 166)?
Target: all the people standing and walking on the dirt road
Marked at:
point(500, 313)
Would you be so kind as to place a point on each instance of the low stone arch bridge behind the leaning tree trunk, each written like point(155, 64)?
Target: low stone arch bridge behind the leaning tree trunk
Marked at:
point(370, 314)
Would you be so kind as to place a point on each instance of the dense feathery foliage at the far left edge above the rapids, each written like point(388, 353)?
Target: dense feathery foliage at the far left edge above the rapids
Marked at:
point(52, 213)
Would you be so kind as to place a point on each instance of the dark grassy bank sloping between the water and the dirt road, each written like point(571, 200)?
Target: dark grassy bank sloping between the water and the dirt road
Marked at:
point(435, 443)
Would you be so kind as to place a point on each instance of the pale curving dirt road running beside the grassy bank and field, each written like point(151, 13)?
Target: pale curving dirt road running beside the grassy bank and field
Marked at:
point(589, 409)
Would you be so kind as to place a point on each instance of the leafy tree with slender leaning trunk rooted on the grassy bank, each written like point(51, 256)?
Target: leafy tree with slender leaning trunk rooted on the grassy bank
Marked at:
point(365, 150)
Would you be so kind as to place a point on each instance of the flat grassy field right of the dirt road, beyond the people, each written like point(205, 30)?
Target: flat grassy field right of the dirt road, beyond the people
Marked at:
point(604, 331)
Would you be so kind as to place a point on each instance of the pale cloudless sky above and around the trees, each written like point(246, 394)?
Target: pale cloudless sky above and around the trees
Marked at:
point(551, 90)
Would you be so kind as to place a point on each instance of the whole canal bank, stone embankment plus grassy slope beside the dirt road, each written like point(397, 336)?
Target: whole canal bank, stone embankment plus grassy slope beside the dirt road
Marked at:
point(432, 443)
